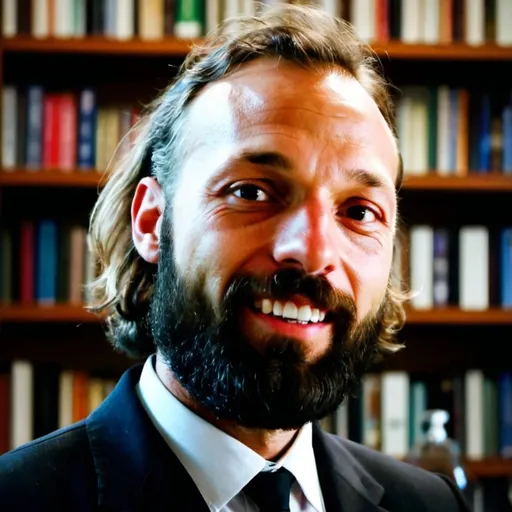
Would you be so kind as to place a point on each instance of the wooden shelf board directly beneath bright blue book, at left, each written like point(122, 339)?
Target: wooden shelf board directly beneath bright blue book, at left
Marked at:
point(61, 313)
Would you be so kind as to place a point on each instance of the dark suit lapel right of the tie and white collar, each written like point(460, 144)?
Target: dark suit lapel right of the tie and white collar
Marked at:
point(346, 485)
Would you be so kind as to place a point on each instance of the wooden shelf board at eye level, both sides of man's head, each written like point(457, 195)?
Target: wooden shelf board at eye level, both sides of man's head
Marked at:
point(91, 178)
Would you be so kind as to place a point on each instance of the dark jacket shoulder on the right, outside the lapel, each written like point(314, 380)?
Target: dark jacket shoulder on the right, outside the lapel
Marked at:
point(405, 484)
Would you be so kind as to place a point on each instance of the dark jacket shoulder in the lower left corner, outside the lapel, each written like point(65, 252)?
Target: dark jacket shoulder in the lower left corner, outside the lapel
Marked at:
point(56, 470)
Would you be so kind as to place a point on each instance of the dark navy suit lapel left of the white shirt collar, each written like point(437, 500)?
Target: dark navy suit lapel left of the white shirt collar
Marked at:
point(136, 469)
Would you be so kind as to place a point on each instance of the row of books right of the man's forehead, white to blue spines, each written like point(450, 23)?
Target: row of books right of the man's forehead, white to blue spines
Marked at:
point(448, 131)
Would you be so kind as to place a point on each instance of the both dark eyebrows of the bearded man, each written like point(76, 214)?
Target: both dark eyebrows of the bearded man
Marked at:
point(279, 161)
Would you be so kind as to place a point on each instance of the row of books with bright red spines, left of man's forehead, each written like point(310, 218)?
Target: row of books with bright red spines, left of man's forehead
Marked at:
point(61, 130)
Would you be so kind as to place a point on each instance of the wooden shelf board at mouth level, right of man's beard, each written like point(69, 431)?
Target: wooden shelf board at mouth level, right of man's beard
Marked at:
point(455, 316)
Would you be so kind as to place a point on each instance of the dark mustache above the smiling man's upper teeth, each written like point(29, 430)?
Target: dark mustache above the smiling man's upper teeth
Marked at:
point(284, 283)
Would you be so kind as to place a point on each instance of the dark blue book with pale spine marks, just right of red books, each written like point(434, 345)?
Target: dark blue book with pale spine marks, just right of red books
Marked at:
point(87, 121)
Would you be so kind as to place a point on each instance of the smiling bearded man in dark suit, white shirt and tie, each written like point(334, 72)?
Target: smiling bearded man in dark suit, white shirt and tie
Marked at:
point(247, 240)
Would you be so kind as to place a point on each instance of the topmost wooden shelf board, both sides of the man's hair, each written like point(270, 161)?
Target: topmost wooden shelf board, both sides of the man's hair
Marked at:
point(179, 47)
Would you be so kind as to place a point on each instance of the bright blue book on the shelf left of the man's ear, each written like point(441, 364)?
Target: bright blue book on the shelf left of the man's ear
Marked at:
point(46, 262)
